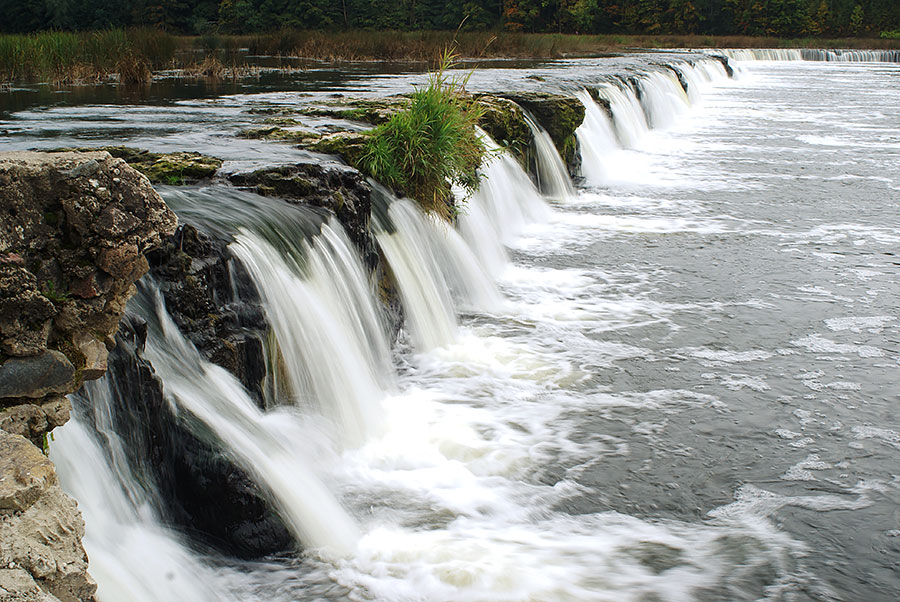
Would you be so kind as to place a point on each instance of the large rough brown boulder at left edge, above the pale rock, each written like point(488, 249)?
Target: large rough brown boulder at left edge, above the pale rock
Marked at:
point(74, 228)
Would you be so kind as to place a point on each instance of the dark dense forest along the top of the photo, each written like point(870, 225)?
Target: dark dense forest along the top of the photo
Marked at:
point(782, 18)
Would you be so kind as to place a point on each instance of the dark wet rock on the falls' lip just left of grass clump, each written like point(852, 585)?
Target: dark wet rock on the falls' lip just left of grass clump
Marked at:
point(338, 188)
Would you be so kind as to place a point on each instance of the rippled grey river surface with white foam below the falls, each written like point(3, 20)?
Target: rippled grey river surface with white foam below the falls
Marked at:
point(689, 393)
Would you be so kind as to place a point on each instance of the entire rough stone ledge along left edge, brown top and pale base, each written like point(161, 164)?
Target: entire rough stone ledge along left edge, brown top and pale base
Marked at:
point(74, 228)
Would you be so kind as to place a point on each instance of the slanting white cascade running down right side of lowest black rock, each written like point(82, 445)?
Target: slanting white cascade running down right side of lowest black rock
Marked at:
point(269, 446)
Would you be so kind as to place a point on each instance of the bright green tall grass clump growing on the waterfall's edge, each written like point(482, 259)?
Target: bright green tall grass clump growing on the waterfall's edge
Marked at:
point(425, 149)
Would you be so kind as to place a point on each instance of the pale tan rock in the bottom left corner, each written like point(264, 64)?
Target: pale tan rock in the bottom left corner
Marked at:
point(40, 528)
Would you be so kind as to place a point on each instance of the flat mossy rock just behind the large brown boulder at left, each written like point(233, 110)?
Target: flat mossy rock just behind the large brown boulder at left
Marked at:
point(162, 168)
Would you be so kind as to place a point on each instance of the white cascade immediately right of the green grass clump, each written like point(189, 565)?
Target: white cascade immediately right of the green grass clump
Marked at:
point(505, 202)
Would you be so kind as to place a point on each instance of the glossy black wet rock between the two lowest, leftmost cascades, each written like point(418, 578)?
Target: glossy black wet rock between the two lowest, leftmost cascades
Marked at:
point(200, 489)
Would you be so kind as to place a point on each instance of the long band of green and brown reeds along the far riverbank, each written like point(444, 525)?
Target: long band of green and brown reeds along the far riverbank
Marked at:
point(133, 55)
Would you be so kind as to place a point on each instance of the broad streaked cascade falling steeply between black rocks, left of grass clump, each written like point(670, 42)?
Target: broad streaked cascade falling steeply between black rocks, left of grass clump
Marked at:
point(320, 300)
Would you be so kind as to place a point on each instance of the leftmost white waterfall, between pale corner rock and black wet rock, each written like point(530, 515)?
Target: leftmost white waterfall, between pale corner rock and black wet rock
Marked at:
point(133, 557)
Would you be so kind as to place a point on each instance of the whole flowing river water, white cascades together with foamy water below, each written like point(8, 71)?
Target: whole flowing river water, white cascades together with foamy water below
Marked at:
point(678, 382)
